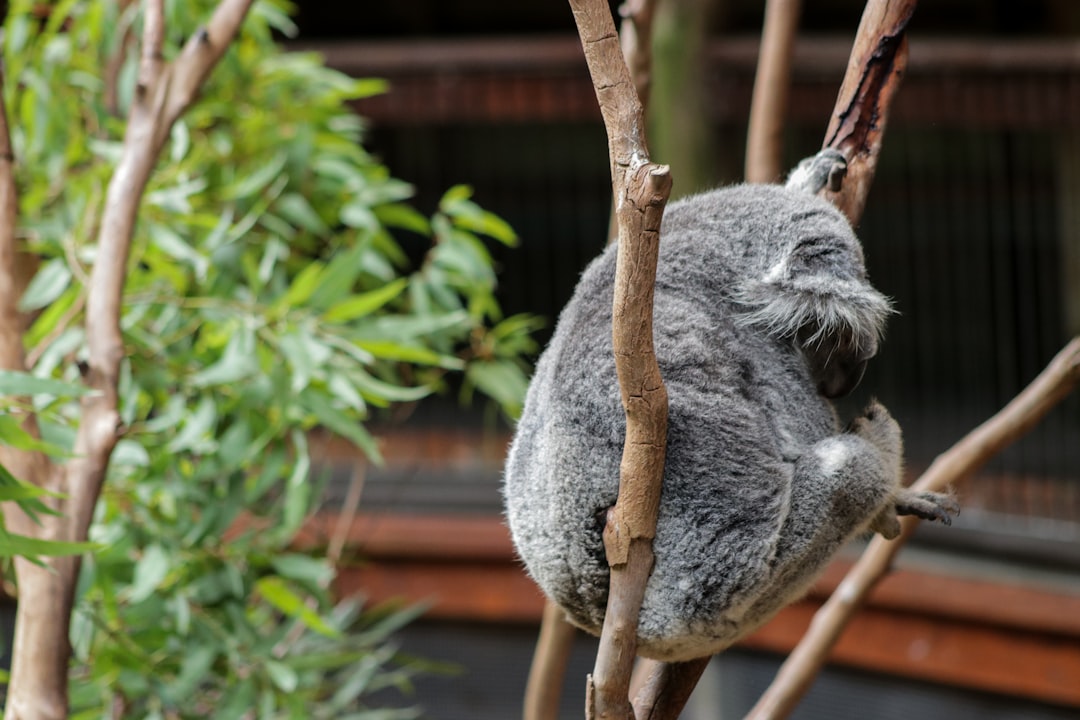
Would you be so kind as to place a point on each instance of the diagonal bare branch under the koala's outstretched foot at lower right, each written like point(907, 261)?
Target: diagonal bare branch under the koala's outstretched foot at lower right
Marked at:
point(1054, 385)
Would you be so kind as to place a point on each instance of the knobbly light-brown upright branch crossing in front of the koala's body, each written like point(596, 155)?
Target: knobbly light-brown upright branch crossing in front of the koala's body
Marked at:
point(641, 193)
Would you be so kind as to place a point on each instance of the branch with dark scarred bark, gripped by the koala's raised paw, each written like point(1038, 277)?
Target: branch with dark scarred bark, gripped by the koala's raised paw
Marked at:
point(875, 69)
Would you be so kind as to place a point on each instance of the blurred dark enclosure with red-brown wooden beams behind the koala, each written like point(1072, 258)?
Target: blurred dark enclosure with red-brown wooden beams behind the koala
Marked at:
point(973, 227)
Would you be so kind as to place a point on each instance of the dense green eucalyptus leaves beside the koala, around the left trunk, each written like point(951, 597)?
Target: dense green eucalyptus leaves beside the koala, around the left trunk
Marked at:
point(268, 296)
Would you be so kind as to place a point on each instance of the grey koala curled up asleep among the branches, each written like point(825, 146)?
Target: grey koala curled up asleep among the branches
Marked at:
point(763, 314)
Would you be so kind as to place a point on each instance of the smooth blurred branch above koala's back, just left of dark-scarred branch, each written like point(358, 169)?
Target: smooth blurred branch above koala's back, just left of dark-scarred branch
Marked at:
point(765, 140)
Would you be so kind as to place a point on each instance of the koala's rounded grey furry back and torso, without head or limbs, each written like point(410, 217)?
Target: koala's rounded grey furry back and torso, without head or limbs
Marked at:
point(741, 410)
